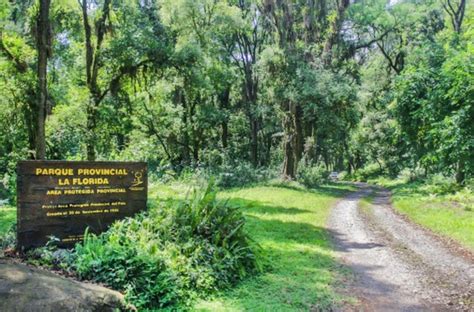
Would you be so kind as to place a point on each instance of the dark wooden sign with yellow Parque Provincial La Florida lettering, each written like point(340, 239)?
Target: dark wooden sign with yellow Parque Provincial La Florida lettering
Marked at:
point(63, 198)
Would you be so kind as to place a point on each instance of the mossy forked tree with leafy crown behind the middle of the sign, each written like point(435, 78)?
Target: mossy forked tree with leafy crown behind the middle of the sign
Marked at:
point(106, 65)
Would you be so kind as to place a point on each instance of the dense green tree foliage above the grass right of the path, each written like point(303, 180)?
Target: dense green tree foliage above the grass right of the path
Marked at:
point(421, 116)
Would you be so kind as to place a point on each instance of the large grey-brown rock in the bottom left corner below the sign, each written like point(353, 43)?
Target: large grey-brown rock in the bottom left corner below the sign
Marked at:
point(23, 288)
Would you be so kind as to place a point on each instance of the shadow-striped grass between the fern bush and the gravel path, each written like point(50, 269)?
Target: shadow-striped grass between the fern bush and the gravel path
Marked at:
point(288, 223)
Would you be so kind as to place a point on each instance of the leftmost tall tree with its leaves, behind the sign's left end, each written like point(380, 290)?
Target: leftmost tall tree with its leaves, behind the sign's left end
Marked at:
point(32, 93)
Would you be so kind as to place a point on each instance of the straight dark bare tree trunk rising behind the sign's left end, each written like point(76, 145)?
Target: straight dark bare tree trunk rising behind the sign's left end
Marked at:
point(43, 38)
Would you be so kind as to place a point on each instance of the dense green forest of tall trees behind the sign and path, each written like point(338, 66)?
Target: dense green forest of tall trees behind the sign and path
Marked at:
point(220, 85)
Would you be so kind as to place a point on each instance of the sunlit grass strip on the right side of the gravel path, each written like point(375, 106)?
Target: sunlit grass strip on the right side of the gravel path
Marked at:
point(449, 214)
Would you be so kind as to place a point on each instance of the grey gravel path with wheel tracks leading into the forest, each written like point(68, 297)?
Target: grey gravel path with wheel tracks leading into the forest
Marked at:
point(397, 265)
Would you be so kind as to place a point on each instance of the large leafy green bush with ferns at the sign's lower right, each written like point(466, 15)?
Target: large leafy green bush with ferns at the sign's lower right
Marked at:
point(172, 254)
